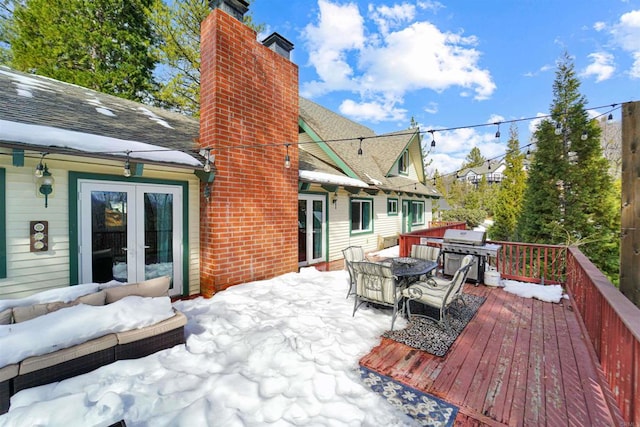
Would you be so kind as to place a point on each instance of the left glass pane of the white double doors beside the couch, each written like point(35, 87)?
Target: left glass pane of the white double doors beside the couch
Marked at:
point(109, 236)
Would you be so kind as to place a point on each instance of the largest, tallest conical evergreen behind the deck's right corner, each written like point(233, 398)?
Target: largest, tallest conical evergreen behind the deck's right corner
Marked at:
point(570, 197)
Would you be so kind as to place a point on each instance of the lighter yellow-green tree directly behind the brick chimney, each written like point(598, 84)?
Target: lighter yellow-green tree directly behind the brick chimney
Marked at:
point(178, 25)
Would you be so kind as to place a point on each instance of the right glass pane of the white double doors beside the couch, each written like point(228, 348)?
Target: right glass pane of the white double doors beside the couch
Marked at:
point(158, 235)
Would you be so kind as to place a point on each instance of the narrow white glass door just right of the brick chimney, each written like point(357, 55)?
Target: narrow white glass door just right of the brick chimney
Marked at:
point(311, 229)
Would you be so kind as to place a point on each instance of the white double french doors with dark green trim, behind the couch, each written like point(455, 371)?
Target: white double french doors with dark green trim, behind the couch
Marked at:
point(130, 232)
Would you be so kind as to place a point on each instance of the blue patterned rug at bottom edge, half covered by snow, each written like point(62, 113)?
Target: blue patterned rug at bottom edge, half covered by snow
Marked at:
point(427, 410)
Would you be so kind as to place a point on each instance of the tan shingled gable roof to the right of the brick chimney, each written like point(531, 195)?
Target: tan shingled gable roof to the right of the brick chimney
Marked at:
point(340, 139)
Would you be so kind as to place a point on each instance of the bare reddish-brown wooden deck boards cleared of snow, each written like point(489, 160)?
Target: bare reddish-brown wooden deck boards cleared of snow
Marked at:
point(518, 362)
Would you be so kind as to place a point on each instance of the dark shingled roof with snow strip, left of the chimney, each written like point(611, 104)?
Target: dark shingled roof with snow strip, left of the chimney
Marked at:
point(38, 112)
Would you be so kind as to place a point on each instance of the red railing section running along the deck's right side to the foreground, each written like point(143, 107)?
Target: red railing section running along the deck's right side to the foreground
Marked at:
point(612, 323)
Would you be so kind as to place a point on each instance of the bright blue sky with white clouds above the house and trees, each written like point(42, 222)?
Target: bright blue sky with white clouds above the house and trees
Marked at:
point(453, 64)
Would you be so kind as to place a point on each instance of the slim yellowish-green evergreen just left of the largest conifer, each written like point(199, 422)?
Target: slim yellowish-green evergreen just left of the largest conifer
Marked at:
point(511, 192)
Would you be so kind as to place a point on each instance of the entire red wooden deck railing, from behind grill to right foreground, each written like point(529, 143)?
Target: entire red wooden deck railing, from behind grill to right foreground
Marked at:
point(611, 321)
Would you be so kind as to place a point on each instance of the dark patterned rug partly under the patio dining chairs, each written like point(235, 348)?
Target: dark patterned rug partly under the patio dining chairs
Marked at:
point(425, 334)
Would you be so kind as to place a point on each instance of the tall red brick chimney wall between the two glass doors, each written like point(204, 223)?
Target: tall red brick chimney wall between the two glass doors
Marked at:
point(249, 110)
